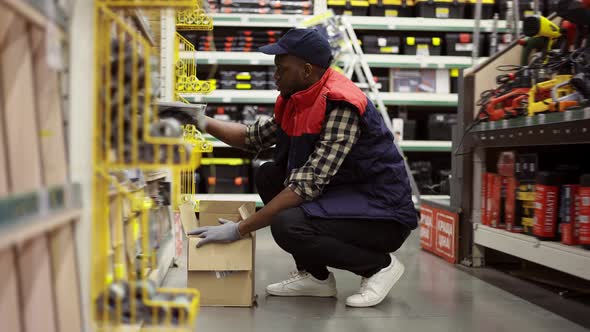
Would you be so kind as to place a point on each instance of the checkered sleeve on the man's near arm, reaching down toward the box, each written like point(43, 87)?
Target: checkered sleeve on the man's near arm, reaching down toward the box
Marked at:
point(341, 131)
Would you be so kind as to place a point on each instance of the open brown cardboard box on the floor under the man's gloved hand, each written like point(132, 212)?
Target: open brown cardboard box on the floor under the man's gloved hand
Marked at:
point(222, 272)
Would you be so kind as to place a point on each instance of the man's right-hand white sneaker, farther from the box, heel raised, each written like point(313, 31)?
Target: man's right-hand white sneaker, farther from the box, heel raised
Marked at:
point(374, 289)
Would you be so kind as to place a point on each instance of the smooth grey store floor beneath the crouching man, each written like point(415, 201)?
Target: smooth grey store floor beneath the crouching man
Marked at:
point(431, 296)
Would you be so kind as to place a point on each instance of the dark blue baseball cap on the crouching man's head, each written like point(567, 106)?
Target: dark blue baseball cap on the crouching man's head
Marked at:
point(307, 44)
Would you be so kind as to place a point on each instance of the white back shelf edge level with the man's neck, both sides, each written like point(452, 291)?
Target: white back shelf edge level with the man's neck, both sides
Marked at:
point(269, 97)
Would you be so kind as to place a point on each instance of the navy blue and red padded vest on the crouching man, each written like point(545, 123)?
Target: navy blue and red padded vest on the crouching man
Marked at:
point(372, 182)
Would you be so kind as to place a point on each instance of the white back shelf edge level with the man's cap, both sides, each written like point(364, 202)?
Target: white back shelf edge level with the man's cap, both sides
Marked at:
point(374, 60)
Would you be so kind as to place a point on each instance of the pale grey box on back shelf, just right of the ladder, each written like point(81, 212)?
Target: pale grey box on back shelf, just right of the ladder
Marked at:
point(420, 80)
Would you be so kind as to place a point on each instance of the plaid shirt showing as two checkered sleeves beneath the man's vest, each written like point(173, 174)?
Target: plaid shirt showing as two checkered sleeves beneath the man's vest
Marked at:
point(340, 132)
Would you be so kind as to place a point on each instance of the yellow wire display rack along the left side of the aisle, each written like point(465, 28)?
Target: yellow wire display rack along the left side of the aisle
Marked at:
point(129, 134)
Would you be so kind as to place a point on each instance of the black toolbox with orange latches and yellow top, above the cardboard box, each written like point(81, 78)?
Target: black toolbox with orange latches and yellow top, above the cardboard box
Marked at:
point(225, 175)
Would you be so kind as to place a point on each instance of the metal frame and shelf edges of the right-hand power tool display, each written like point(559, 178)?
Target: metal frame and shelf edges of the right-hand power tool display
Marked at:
point(570, 127)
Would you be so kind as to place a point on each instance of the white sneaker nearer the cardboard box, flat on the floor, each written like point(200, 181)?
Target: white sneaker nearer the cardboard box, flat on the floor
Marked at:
point(302, 283)
